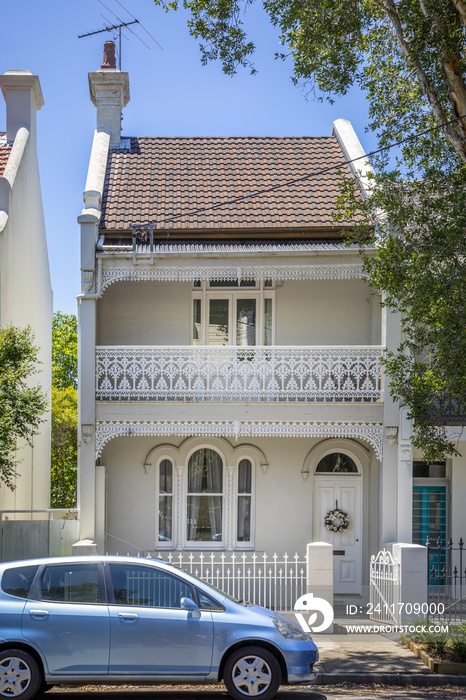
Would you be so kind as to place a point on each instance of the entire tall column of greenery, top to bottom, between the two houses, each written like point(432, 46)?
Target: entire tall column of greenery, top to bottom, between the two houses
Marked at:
point(64, 410)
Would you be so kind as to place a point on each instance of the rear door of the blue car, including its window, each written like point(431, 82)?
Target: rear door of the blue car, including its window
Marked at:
point(68, 619)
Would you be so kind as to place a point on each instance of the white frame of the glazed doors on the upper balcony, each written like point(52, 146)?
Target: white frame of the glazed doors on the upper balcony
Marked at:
point(259, 292)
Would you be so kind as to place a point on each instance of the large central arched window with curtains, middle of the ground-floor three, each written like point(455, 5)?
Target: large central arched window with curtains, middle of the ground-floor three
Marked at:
point(204, 519)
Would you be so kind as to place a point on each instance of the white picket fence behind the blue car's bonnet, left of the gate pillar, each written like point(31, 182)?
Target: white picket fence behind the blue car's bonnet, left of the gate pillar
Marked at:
point(273, 581)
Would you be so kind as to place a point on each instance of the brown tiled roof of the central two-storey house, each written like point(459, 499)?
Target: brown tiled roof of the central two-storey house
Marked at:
point(158, 178)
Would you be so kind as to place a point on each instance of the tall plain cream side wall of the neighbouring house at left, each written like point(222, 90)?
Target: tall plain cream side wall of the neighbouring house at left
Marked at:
point(26, 299)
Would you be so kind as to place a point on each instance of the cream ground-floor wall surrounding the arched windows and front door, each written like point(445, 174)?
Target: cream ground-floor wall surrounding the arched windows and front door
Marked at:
point(283, 500)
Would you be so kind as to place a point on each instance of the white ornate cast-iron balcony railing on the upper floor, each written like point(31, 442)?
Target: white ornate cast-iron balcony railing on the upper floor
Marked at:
point(238, 373)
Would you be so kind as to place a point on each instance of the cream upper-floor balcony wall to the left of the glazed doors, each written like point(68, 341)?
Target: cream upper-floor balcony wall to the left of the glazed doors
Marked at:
point(146, 313)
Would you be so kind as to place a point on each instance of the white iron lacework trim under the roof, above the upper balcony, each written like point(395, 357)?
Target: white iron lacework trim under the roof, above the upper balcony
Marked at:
point(231, 272)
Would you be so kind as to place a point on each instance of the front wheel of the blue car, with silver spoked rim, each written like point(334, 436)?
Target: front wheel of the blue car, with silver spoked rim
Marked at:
point(252, 672)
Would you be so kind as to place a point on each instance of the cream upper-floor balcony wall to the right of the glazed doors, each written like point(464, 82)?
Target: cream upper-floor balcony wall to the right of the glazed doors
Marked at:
point(327, 312)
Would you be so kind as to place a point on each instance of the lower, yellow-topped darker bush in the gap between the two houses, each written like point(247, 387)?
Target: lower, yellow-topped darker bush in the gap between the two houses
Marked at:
point(64, 447)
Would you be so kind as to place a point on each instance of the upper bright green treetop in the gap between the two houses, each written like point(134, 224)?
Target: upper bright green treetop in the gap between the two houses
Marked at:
point(64, 350)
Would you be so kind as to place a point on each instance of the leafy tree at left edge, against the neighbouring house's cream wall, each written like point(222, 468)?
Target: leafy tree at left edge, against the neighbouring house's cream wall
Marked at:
point(22, 405)
